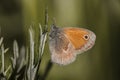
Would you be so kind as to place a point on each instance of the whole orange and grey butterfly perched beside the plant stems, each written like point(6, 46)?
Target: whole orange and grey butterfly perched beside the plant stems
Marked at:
point(66, 43)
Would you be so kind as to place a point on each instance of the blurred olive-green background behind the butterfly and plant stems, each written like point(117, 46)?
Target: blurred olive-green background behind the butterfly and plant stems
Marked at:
point(102, 62)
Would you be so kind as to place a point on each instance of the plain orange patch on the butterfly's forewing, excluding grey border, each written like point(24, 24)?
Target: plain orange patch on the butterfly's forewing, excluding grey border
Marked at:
point(75, 35)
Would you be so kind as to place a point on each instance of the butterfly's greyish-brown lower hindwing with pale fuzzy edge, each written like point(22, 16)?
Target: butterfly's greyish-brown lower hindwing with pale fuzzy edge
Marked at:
point(62, 52)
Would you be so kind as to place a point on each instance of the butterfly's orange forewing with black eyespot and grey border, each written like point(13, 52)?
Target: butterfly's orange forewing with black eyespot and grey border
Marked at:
point(81, 39)
